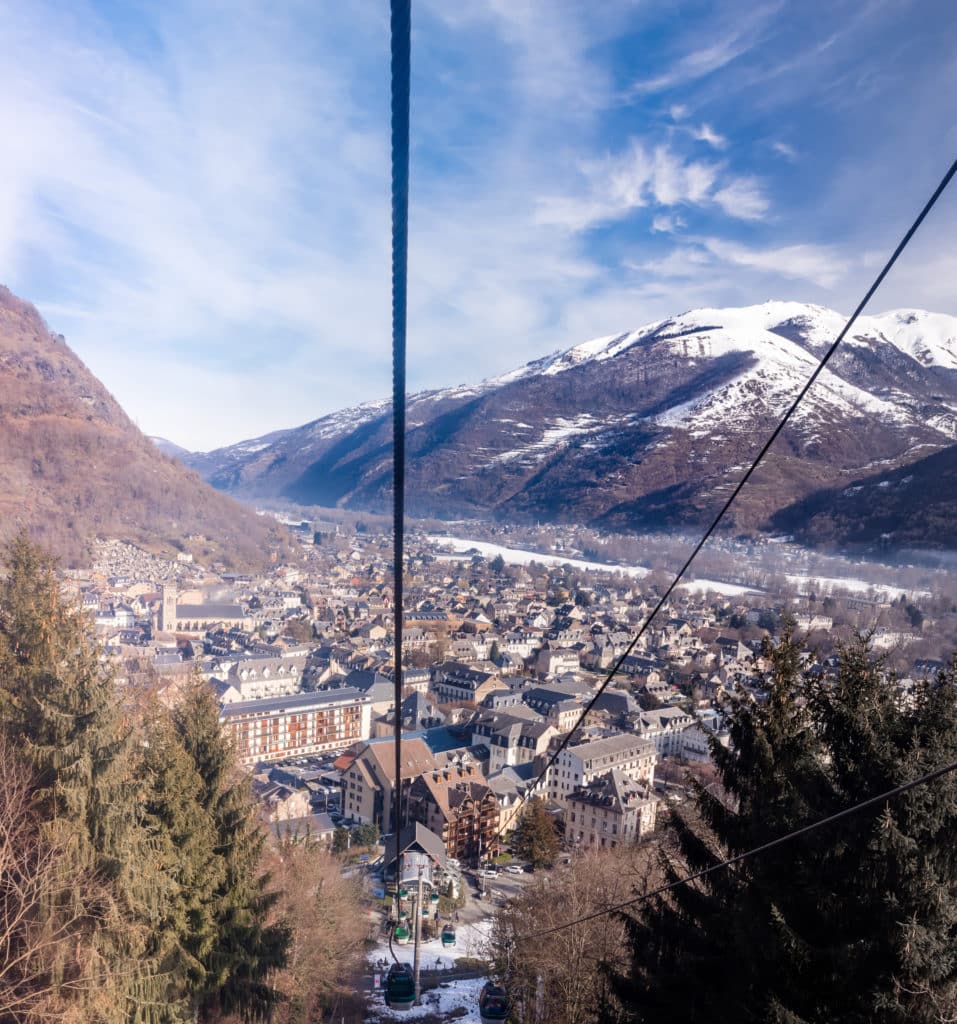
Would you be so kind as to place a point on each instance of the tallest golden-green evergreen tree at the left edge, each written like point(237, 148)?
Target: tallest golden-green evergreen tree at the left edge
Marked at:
point(61, 712)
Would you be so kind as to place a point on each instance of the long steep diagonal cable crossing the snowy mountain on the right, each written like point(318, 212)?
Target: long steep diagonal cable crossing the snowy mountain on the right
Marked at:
point(902, 245)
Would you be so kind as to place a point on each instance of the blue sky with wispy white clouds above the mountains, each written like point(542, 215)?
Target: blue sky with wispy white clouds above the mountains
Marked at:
point(197, 194)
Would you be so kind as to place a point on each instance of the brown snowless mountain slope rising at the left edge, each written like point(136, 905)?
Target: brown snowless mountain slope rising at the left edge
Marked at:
point(73, 467)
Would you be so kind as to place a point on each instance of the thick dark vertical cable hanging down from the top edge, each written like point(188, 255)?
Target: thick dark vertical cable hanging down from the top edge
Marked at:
point(402, 46)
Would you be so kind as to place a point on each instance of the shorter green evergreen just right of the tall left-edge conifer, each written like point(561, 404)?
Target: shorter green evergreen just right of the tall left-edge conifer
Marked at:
point(249, 947)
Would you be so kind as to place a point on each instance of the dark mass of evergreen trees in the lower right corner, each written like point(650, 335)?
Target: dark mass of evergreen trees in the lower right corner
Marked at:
point(855, 923)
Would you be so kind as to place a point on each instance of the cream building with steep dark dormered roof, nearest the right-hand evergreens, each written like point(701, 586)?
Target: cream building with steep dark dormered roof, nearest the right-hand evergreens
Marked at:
point(612, 810)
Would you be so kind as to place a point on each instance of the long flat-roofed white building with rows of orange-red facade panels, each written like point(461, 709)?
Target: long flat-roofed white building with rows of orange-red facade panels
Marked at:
point(299, 724)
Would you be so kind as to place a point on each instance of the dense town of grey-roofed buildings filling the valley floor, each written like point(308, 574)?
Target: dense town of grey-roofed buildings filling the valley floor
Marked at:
point(501, 662)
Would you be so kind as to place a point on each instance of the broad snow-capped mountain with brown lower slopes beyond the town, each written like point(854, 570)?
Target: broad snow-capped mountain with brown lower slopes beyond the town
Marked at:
point(648, 429)
